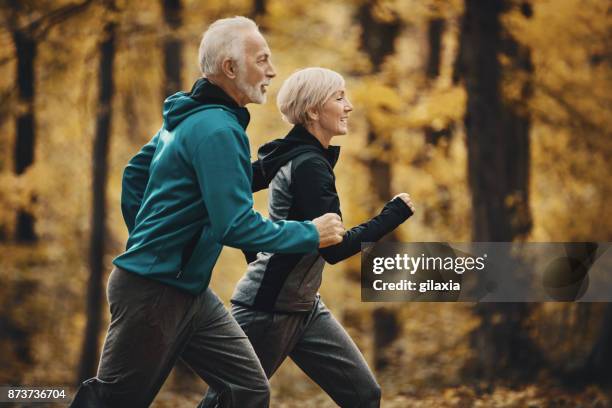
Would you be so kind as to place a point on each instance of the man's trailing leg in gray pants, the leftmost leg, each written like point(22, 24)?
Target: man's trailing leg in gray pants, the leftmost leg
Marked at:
point(149, 327)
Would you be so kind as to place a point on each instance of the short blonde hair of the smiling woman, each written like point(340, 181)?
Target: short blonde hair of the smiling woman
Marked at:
point(306, 89)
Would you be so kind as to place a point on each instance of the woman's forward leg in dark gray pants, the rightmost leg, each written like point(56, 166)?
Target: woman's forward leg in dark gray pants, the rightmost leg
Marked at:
point(327, 354)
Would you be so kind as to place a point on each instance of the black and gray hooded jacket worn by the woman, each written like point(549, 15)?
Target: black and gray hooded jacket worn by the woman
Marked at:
point(298, 171)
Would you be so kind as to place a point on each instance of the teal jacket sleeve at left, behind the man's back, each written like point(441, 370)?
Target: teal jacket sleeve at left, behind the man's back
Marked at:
point(134, 182)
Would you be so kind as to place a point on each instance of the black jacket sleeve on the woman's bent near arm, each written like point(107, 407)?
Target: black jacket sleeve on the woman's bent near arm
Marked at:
point(315, 192)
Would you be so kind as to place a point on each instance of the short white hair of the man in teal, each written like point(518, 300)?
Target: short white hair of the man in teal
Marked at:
point(224, 39)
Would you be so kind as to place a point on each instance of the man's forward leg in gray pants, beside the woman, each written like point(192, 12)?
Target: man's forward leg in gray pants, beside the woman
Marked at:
point(221, 354)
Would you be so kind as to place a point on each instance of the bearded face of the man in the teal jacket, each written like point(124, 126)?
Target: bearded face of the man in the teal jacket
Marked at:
point(255, 71)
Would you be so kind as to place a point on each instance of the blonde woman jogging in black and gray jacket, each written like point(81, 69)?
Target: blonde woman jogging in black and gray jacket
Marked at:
point(277, 302)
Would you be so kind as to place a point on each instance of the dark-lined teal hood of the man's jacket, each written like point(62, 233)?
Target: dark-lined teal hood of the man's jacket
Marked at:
point(203, 94)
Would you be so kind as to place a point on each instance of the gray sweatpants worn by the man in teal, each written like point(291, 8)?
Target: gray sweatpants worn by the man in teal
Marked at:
point(152, 325)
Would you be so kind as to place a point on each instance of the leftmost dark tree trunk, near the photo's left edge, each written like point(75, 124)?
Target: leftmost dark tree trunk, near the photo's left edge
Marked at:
point(25, 46)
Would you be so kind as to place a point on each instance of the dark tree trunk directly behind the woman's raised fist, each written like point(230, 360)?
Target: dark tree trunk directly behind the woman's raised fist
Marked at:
point(378, 41)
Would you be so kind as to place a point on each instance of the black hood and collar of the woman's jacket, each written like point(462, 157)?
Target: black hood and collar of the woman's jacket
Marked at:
point(275, 154)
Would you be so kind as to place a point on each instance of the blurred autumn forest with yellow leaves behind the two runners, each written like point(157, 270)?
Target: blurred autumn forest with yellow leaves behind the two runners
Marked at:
point(493, 115)
